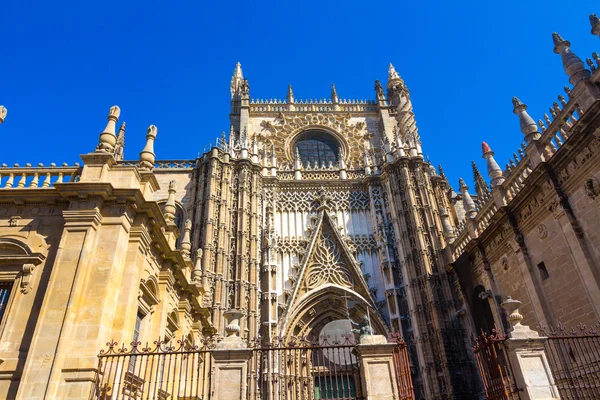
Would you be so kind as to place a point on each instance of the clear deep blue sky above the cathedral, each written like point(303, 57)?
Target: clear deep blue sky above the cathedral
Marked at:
point(169, 63)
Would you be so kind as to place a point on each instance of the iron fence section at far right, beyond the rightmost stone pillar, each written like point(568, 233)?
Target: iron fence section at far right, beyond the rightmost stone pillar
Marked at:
point(574, 358)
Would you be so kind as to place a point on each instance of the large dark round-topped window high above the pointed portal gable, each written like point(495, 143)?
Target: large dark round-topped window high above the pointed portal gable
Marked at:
point(317, 146)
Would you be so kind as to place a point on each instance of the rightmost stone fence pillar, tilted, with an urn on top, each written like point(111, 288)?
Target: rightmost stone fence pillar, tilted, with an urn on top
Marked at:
point(527, 357)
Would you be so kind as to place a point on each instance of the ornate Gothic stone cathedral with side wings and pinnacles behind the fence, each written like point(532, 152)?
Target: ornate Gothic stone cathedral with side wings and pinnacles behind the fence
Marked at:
point(305, 214)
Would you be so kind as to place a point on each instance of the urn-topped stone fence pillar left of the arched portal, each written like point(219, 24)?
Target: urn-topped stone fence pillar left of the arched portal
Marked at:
point(230, 363)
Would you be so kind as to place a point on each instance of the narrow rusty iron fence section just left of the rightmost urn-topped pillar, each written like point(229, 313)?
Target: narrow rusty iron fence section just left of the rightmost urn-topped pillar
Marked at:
point(494, 367)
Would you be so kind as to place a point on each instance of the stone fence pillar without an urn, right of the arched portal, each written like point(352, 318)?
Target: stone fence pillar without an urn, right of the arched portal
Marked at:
point(377, 366)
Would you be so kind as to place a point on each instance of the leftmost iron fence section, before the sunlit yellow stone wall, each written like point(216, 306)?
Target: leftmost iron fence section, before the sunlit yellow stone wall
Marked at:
point(162, 371)
